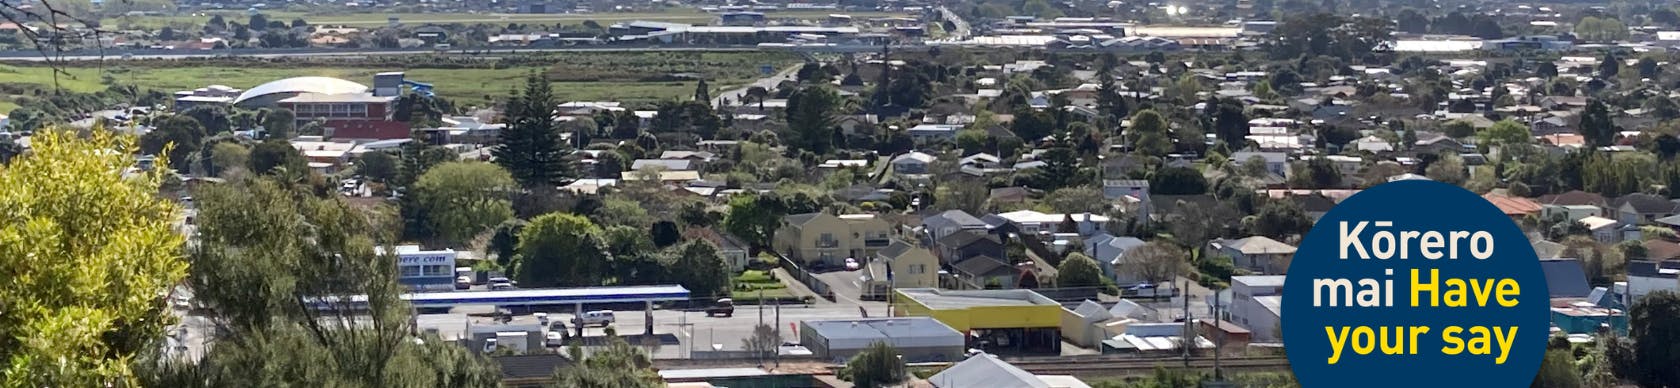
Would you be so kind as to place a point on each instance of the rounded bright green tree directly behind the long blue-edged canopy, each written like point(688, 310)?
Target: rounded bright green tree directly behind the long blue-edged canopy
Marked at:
point(560, 249)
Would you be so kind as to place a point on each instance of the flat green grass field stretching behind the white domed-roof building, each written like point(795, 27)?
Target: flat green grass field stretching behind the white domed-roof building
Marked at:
point(631, 78)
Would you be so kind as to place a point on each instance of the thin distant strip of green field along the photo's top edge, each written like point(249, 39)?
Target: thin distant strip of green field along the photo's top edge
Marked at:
point(678, 16)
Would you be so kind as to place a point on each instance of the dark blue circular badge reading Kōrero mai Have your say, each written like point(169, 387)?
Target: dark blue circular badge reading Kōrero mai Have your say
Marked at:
point(1415, 285)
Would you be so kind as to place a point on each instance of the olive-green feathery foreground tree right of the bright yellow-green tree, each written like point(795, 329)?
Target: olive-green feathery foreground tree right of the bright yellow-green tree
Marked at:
point(303, 298)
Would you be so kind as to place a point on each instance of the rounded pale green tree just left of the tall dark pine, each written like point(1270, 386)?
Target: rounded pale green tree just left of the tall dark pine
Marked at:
point(463, 199)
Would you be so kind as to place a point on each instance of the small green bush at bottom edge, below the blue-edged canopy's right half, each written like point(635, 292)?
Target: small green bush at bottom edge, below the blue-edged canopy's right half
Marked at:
point(616, 367)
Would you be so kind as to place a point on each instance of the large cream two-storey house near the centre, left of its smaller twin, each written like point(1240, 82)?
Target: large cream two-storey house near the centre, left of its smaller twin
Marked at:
point(831, 239)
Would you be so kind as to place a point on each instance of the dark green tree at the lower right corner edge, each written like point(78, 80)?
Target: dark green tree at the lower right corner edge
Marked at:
point(1656, 330)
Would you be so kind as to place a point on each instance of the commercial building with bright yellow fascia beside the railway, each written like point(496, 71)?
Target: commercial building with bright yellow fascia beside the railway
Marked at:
point(997, 320)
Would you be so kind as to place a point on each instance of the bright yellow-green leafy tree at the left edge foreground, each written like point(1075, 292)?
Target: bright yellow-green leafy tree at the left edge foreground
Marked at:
point(87, 253)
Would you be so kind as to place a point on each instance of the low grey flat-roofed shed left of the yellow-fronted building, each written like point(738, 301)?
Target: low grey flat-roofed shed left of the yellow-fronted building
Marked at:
point(921, 340)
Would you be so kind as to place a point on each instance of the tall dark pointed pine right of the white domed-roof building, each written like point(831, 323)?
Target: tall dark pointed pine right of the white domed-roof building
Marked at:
point(530, 147)
